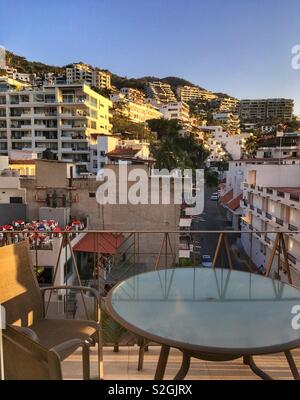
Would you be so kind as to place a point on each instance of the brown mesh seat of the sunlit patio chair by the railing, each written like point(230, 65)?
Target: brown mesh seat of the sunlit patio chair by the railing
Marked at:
point(52, 332)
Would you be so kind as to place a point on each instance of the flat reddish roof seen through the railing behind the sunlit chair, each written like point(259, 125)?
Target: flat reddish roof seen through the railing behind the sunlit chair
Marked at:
point(106, 243)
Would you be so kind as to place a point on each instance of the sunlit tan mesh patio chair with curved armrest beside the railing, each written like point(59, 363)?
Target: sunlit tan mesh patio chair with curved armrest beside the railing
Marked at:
point(23, 301)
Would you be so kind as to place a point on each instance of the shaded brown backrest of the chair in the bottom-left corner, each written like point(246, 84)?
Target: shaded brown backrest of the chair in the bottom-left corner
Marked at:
point(25, 359)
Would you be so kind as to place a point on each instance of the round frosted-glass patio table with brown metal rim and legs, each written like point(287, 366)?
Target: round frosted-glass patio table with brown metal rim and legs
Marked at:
point(210, 314)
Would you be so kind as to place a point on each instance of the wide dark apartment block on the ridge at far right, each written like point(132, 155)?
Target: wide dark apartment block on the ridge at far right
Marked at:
point(266, 109)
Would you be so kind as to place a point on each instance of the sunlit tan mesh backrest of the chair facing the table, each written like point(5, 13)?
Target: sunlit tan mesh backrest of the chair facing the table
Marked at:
point(19, 290)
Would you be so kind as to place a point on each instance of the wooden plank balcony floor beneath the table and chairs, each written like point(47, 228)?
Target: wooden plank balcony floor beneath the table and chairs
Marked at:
point(123, 365)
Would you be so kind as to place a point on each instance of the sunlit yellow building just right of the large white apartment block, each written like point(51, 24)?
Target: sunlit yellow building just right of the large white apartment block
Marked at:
point(136, 112)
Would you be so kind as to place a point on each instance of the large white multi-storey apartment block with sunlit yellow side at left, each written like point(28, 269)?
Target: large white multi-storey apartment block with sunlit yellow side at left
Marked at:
point(64, 118)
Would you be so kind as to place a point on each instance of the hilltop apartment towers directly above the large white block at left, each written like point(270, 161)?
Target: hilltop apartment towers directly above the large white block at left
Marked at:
point(80, 72)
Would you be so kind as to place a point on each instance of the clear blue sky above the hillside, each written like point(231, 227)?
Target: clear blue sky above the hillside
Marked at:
point(242, 47)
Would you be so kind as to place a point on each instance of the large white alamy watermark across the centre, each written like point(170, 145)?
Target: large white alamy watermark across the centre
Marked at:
point(136, 186)
